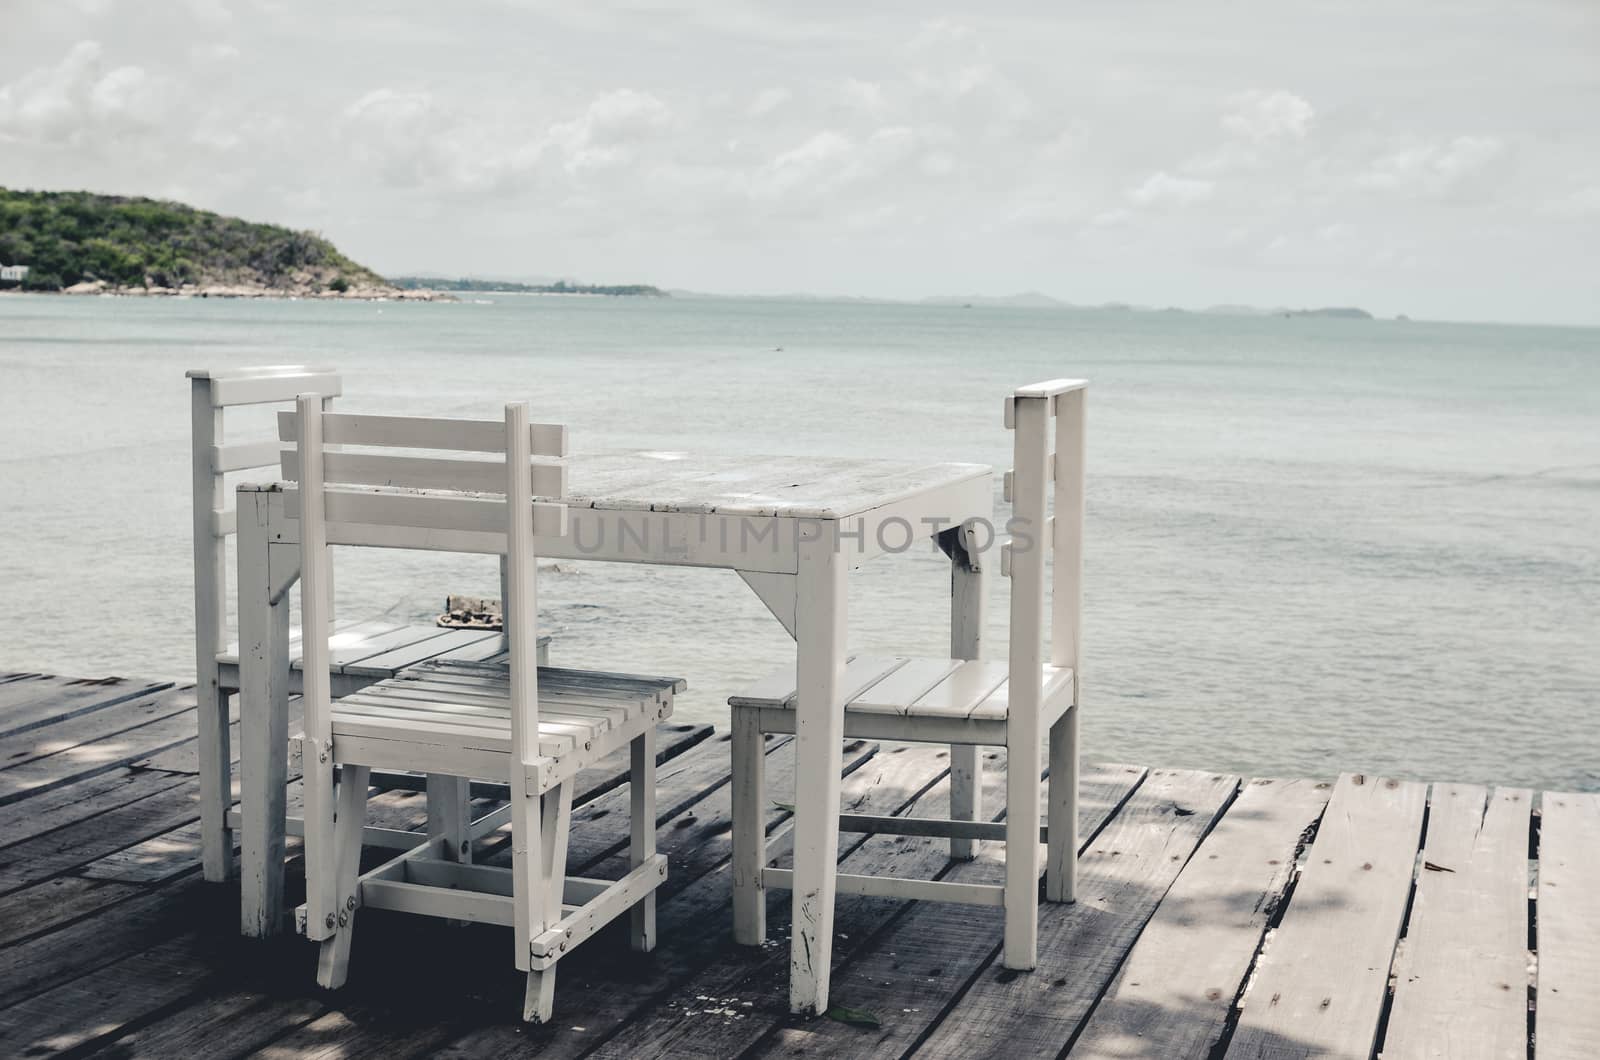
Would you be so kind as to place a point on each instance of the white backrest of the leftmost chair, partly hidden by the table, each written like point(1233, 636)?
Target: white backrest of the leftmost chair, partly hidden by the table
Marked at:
point(212, 457)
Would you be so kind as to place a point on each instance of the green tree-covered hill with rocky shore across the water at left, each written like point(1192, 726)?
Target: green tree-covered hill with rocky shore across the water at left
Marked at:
point(76, 238)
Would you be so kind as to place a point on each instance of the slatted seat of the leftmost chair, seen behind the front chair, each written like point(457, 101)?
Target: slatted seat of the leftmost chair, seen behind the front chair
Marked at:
point(377, 649)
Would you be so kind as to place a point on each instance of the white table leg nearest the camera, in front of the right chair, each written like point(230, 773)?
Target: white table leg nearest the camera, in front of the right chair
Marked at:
point(820, 729)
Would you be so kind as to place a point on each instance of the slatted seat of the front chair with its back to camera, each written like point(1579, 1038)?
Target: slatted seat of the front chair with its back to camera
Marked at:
point(455, 718)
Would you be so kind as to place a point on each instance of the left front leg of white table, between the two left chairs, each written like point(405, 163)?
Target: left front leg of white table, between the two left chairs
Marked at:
point(263, 720)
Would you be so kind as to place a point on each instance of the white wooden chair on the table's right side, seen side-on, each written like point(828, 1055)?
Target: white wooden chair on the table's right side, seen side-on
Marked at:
point(966, 702)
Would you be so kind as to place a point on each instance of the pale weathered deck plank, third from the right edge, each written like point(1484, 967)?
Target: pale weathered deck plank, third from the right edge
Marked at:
point(1322, 979)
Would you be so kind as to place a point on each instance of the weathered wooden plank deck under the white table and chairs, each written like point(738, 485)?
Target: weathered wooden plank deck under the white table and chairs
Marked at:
point(1218, 918)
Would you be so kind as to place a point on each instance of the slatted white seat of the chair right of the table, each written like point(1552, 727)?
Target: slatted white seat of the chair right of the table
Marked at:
point(946, 691)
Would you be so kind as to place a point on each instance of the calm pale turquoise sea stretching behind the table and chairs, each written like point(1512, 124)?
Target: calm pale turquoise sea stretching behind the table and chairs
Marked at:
point(1314, 545)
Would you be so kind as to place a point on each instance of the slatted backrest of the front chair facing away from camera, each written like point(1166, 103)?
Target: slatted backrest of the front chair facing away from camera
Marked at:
point(393, 499)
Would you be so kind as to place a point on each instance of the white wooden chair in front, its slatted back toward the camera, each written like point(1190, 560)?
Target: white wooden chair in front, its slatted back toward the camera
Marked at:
point(534, 729)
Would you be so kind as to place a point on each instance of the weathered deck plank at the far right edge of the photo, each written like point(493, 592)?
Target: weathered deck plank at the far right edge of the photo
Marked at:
point(1567, 1021)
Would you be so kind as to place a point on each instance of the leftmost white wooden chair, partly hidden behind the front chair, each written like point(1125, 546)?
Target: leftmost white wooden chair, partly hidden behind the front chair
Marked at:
point(366, 651)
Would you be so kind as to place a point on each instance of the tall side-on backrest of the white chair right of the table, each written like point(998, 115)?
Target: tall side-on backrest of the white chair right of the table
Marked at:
point(1047, 464)
